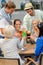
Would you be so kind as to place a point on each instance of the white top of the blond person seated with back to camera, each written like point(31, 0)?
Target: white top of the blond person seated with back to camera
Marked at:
point(9, 48)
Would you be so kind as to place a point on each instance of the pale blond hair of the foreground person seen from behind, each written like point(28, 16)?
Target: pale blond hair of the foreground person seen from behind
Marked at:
point(8, 31)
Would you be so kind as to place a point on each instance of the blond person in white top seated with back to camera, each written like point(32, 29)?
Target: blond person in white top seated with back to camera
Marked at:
point(10, 43)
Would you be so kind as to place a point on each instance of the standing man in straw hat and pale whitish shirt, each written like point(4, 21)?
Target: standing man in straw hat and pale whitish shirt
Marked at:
point(31, 15)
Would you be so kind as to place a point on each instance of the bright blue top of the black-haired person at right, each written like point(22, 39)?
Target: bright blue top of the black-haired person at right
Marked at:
point(39, 46)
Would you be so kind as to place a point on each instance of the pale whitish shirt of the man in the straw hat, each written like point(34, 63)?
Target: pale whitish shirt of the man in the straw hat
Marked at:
point(27, 21)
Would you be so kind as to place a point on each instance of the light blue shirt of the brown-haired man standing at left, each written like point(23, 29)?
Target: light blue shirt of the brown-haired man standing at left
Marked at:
point(5, 15)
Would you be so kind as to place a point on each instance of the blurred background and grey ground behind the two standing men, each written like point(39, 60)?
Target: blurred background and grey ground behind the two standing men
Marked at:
point(19, 13)
